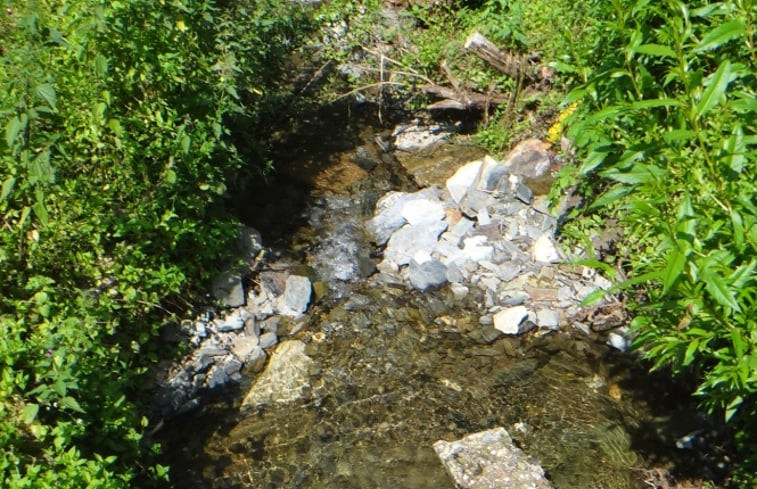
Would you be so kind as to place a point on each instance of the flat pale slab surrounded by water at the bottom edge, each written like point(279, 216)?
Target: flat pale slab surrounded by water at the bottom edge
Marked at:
point(490, 460)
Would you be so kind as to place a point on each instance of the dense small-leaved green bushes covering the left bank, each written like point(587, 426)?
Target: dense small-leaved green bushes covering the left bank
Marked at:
point(113, 163)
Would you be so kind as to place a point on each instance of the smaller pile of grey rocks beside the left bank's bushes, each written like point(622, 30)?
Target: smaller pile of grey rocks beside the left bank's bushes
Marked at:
point(230, 346)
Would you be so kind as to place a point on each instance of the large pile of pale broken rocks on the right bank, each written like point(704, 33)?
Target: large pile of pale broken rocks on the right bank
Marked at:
point(484, 230)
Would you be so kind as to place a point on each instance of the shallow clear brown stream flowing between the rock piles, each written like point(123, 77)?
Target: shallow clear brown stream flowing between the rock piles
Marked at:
point(394, 369)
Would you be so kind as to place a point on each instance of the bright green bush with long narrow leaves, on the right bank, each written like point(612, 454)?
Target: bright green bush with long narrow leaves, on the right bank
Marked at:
point(666, 133)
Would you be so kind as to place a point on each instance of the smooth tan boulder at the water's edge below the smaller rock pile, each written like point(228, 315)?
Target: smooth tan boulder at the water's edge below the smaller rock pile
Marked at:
point(285, 379)
